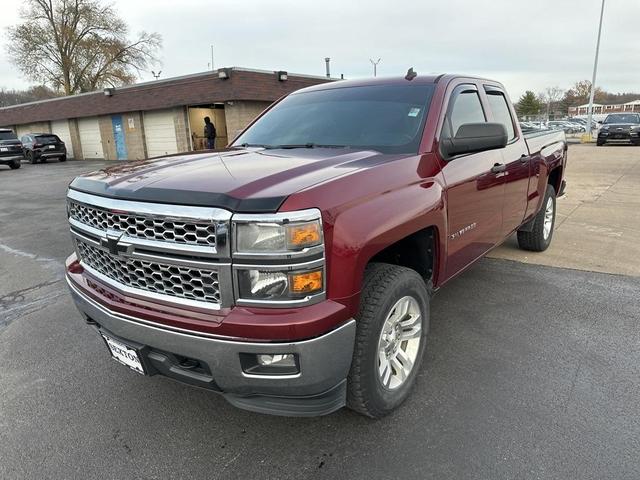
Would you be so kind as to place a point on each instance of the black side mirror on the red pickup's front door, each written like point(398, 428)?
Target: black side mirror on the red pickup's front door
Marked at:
point(476, 137)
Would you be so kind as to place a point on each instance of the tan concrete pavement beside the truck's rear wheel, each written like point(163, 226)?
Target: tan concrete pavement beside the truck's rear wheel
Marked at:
point(598, 220)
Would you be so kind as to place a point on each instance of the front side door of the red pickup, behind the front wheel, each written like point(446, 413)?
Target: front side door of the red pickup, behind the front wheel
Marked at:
point(474, 192)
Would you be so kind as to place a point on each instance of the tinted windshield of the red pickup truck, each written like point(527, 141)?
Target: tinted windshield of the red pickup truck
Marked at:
point(387, 118)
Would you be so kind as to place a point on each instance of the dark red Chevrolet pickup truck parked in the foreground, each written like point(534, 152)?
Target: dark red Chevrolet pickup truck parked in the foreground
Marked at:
point(292, 271)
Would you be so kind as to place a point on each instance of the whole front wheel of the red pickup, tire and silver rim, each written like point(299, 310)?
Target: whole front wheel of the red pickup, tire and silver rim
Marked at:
point(392, 325)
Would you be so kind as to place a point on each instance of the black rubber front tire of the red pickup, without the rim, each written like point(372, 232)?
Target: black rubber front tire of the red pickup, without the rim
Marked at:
point(383, 286)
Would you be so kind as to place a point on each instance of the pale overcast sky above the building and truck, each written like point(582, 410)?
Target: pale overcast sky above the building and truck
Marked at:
point(526, 44)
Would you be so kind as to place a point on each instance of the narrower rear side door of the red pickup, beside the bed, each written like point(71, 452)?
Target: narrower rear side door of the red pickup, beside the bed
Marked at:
point(516, 159)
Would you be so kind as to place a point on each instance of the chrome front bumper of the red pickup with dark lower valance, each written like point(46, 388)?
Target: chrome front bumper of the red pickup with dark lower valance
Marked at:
point(319, 388)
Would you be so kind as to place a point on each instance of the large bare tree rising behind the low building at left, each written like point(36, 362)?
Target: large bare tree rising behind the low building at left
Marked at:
point(78, 45)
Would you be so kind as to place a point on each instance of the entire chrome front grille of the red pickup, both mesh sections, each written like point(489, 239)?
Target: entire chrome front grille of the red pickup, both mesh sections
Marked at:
point(170, 254)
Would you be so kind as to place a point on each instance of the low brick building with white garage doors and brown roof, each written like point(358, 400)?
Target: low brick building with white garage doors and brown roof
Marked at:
point(158, 117)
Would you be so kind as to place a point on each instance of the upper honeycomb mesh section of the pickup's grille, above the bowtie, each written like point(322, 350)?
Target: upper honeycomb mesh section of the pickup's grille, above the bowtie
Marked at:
point(145, 226)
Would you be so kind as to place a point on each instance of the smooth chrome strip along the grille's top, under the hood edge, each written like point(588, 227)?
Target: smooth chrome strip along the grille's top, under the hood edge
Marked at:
point(153, 209)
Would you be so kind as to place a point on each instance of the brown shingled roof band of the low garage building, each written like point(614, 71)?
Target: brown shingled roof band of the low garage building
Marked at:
point(197, 89)
